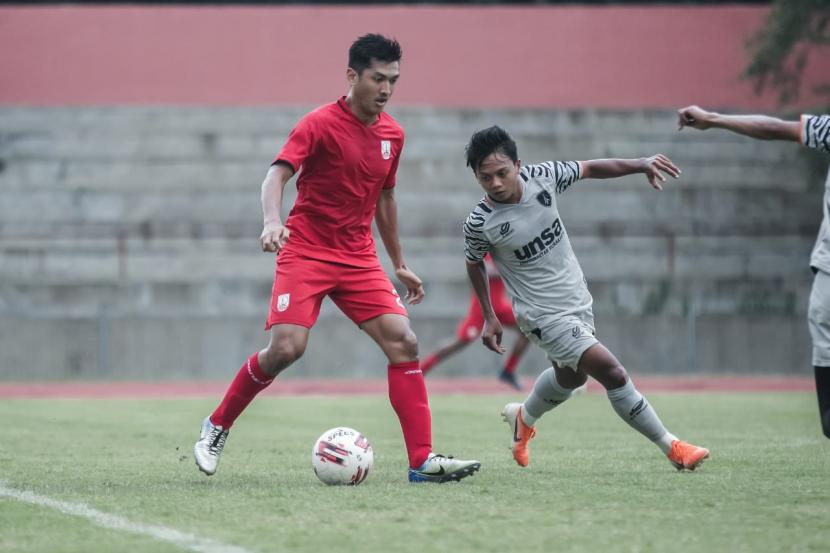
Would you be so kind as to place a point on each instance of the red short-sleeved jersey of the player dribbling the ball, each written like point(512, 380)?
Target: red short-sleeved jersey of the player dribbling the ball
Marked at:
point(343, 164)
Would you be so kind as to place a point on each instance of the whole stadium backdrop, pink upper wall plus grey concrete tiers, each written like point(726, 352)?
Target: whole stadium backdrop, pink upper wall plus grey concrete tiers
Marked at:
point(130, 191)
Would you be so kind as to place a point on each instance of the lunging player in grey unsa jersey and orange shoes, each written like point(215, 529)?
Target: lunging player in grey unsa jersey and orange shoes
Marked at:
point(517, 221)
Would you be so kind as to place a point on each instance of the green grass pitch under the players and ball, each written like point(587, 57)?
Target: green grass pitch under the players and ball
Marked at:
point(593, 484)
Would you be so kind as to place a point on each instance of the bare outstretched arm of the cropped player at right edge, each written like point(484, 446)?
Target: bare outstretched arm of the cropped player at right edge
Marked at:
point(762, 127)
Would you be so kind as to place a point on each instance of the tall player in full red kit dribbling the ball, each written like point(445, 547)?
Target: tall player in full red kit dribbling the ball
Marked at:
point(347, 153)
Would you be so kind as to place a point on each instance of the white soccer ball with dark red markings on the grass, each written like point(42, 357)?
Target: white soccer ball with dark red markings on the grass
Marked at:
point(342, 456)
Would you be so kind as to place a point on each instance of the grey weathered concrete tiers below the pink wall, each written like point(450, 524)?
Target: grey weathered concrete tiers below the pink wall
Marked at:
point(128, 241)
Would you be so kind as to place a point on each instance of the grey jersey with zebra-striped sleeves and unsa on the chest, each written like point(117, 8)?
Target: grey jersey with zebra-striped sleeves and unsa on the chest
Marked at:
point(530, 246)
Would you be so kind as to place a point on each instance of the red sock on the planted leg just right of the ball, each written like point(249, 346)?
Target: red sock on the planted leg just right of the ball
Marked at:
point(408, 396)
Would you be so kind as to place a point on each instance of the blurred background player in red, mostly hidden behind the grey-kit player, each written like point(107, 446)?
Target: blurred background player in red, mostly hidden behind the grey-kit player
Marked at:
point(469, 329)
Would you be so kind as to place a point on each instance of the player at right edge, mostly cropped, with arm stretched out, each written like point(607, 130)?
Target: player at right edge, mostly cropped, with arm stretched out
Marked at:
point(812, 131)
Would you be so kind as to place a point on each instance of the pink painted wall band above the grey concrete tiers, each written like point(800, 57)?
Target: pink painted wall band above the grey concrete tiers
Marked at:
point(558, 57)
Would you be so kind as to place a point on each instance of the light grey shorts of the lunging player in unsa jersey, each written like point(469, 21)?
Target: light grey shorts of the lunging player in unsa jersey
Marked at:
point(564, 338)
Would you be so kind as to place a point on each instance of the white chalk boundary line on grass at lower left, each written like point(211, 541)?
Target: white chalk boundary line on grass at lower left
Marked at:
point(106, 520)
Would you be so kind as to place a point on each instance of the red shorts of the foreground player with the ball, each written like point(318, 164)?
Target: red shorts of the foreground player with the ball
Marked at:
point(300, 283)
